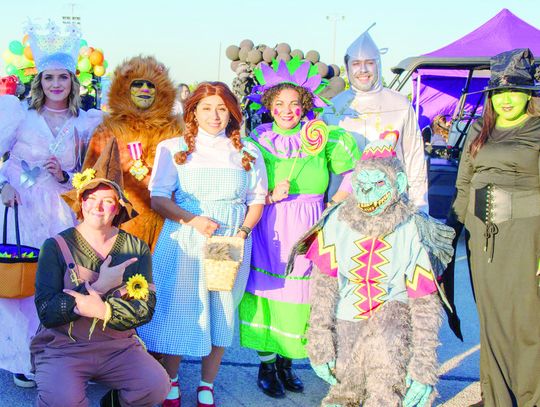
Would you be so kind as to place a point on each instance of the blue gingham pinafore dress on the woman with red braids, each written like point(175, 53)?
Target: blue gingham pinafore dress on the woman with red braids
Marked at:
point(189, 319)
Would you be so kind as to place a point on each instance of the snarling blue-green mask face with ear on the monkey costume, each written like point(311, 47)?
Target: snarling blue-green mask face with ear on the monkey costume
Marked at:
point(373, 190)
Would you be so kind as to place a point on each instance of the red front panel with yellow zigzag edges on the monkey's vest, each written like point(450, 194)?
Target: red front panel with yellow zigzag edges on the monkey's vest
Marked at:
point(375, 260)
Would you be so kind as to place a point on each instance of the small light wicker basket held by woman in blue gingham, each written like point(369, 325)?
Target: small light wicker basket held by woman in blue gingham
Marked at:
point(221, 274)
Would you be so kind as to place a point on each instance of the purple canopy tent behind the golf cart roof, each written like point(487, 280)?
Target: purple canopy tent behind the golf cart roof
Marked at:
point(440, 76)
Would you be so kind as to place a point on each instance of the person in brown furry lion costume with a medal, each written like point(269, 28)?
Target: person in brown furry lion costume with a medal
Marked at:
point(141, 98)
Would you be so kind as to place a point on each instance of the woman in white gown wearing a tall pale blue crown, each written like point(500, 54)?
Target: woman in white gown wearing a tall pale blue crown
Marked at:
point(45, 141)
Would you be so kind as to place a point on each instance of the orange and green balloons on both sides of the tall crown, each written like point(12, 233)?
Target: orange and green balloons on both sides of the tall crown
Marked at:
point(19, 61)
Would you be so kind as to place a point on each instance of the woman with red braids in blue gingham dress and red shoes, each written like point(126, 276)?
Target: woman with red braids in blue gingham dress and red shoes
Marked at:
point(208, 183)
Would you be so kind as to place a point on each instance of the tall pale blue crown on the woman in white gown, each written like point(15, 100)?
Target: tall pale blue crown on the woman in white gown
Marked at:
point(53, 49)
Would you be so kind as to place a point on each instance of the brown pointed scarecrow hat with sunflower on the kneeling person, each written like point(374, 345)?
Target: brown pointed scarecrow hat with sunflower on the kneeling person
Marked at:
point(106, 171)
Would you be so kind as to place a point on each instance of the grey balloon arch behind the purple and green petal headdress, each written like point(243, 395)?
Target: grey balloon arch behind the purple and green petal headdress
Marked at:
point(245, 57)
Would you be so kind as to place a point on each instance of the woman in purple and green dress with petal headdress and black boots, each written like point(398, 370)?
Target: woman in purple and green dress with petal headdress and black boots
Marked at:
point(274, 311)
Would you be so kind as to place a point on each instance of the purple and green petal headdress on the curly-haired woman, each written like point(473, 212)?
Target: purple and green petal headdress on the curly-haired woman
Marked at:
point(297, 72)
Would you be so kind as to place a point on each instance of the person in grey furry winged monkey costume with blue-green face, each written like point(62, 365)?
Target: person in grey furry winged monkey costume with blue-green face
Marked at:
point(375, 310)
